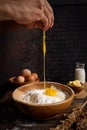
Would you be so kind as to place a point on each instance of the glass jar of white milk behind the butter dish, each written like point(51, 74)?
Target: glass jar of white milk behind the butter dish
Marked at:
point(80, 72)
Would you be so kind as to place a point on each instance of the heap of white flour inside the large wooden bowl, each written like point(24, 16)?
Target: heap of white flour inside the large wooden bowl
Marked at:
point(39, 97)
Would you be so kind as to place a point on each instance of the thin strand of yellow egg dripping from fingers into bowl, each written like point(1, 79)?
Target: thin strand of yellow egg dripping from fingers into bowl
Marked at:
point(44, 56)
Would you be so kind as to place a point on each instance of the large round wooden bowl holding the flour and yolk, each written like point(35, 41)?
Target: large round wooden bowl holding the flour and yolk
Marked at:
point(42, 111)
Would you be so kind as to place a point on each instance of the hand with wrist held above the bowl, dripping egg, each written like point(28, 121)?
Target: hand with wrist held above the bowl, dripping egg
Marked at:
point(31, 13)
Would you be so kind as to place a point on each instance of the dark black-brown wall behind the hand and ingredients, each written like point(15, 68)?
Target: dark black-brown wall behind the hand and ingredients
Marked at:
point(66, 45)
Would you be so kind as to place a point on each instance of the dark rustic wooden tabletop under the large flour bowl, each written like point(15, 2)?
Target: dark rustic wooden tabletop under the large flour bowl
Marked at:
point(12, 119)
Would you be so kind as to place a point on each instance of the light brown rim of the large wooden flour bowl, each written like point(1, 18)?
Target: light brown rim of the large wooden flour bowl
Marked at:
point(49, 104)
